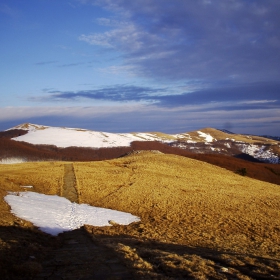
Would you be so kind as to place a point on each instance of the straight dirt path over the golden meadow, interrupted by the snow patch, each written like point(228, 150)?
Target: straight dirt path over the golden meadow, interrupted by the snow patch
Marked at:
point(79, 257)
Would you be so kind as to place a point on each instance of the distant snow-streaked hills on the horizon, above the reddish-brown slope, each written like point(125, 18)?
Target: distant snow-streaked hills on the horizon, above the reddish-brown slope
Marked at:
point(204, 141)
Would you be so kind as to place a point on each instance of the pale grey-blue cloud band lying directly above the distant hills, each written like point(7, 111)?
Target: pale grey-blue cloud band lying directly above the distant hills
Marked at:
point(131, 118)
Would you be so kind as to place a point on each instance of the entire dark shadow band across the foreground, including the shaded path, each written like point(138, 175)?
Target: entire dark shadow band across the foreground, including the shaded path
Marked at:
point(30, 254)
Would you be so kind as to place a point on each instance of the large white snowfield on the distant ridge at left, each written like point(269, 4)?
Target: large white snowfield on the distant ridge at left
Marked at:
point(66, 137)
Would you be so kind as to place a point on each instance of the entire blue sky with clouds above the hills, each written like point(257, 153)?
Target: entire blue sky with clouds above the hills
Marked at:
point(145, 65)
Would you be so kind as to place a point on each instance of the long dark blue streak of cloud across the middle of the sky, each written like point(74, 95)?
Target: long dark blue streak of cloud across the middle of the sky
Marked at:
point(229, 96)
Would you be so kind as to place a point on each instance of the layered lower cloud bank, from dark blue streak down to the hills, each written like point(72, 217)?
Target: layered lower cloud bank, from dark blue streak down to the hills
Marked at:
point(251, 108)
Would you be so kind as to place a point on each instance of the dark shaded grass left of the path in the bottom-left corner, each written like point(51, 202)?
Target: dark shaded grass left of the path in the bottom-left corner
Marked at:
point(22, 251)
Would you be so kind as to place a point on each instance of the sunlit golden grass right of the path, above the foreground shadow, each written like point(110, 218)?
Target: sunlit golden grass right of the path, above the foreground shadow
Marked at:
point(186, 201)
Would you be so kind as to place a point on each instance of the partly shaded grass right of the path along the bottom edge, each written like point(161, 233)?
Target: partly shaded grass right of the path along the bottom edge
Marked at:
point(152, 259)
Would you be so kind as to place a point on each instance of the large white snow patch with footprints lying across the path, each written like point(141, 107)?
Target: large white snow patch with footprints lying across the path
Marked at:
point(54, 214)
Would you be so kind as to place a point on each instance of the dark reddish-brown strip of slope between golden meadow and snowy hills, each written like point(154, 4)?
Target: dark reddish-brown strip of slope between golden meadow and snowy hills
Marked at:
point(15, 151)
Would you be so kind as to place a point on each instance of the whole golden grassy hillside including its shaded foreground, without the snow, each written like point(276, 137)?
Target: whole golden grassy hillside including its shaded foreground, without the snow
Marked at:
point(198, 221)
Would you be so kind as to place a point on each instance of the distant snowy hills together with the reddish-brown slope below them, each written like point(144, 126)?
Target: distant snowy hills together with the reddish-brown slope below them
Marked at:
point(234, 152)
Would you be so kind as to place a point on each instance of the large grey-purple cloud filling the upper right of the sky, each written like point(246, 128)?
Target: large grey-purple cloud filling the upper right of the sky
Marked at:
point(181, 40)
